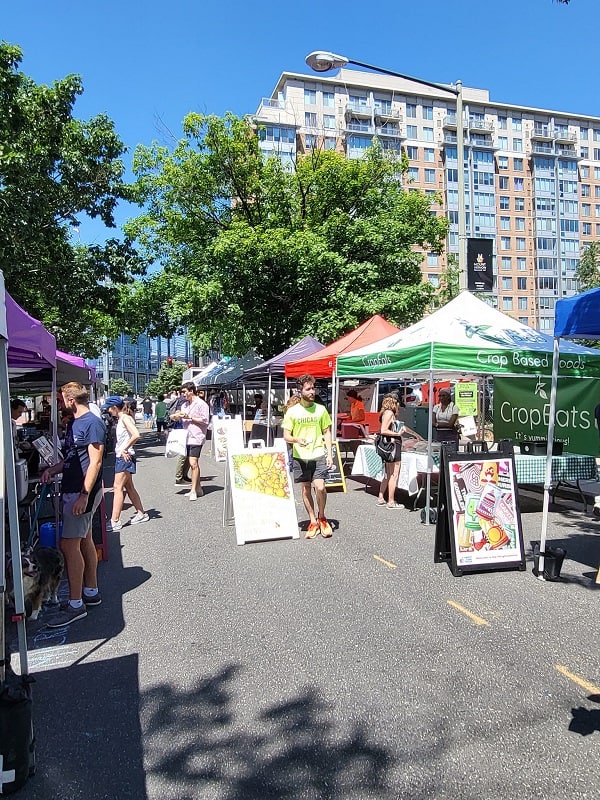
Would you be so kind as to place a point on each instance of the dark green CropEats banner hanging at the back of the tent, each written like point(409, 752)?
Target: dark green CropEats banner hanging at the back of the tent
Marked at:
point(522, 411)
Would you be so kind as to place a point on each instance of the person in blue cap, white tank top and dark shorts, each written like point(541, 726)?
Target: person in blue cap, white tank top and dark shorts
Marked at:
point(127, 435)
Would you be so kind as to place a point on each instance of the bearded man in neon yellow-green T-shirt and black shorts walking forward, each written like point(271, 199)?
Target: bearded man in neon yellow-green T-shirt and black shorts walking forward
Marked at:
point(307, 427)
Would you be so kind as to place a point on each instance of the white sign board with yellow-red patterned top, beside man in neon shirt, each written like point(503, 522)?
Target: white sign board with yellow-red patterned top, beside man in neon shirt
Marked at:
point(262, 495)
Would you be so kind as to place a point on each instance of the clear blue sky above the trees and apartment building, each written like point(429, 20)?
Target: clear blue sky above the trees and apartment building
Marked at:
point(147, 65)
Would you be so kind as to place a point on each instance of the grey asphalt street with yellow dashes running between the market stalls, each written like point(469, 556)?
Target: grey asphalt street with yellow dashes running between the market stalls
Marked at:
point(348, 668)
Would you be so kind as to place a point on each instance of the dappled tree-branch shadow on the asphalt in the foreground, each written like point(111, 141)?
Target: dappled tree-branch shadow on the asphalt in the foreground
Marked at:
point(293, 749)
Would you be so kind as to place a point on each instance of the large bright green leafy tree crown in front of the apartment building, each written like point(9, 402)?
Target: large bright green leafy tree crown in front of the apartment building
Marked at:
point(255, 255)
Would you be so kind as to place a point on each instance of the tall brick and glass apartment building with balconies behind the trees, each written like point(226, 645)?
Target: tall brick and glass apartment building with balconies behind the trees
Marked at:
point(532, 176)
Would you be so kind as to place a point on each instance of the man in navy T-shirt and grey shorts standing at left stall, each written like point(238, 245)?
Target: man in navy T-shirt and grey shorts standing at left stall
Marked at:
point(81, 487)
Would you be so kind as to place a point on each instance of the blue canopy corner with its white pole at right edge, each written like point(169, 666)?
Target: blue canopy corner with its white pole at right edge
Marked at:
point(575, 317)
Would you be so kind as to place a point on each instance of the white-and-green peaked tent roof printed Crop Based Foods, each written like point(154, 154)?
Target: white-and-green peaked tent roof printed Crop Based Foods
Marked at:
point(468, 335)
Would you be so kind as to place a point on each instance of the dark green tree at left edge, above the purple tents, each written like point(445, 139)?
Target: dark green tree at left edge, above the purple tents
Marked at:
point(53, 170)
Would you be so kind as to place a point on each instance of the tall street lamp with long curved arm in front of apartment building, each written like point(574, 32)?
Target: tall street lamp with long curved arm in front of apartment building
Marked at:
point(323, 61)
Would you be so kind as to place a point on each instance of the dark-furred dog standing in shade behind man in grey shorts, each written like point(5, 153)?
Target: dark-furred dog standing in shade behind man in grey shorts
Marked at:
point(42, 571)
